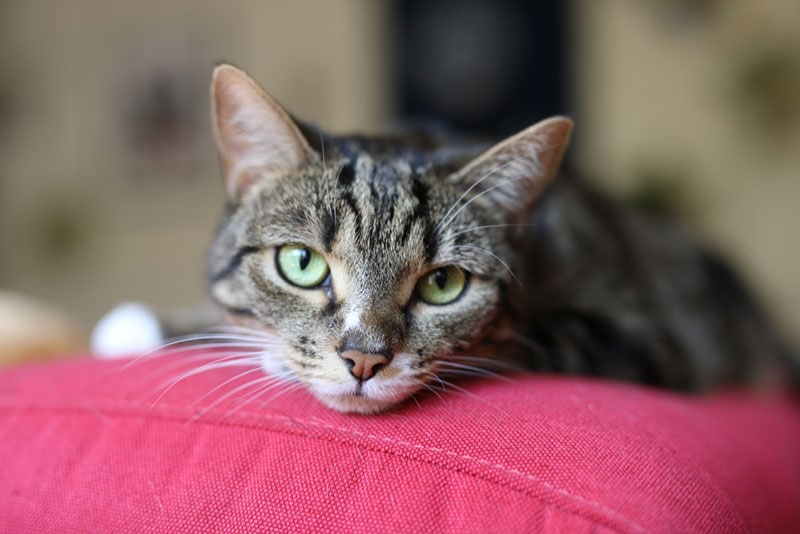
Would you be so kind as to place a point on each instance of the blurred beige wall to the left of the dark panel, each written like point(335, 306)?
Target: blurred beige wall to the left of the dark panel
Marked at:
point(74, 66)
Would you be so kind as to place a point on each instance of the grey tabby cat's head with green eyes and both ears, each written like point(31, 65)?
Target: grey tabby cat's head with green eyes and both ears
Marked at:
point(376, 265)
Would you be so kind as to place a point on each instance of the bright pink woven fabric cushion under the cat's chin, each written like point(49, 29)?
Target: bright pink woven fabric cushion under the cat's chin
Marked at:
point(95, 446)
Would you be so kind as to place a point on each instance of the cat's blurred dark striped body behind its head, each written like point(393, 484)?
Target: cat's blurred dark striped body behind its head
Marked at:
point(633, 281)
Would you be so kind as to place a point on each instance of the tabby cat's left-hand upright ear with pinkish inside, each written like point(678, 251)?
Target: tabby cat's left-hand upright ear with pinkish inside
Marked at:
point(255, 136)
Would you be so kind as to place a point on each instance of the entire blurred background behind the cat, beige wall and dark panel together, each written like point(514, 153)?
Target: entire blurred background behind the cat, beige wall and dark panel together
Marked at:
point(109, 186)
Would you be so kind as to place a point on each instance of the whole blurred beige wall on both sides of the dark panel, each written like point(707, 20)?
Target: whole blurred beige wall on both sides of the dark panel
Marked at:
point(647, 88)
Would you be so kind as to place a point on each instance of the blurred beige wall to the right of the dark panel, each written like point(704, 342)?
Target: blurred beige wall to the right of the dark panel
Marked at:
point(655, 88)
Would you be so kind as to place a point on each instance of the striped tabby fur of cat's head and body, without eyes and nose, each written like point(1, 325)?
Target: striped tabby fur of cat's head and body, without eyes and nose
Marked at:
point(560, 278)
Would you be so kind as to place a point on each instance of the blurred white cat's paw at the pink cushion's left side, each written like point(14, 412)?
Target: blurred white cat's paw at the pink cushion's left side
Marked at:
point(128, 330)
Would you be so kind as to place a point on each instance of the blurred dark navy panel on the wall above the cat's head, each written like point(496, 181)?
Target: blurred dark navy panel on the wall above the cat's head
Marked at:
point(485, 67)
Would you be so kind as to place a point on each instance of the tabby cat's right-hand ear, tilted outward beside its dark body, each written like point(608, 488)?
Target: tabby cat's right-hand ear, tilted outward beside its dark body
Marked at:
point(513, 173)
